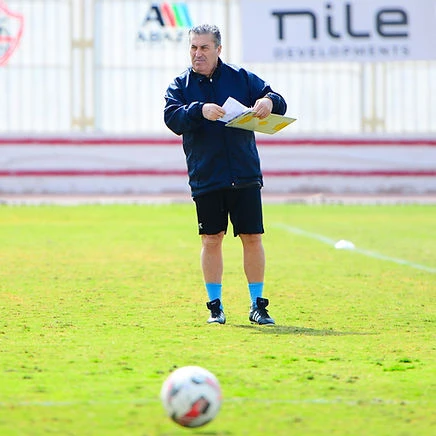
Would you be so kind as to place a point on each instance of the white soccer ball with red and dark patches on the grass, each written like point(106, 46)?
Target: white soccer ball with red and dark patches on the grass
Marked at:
point(191, 396)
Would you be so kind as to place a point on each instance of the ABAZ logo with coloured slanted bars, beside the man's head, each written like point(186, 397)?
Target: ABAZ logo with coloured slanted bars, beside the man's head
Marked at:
point(164, 22)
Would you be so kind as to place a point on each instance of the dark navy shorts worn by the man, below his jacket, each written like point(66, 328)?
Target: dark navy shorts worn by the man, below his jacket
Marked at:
point(243, 206)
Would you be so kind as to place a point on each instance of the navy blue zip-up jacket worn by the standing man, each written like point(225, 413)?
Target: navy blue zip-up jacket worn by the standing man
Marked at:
point(217, 157)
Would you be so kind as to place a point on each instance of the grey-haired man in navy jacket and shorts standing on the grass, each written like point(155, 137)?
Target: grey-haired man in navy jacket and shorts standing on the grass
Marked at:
point(223, 163)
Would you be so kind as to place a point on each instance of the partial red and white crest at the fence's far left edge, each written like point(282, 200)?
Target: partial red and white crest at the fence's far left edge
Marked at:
point(11, 29)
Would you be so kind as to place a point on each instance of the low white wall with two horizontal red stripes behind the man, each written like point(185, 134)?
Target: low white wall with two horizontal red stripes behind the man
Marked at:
point(140, 165)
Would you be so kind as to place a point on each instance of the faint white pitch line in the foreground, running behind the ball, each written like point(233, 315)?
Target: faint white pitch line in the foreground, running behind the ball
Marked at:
point(142, 401)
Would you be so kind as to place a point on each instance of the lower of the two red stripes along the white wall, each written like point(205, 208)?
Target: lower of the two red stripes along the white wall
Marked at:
point(272, 173)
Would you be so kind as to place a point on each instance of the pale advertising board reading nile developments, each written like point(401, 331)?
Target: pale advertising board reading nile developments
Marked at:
point(353, 30)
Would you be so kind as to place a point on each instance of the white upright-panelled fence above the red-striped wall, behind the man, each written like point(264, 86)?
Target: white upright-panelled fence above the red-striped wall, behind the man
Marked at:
point(92, 65)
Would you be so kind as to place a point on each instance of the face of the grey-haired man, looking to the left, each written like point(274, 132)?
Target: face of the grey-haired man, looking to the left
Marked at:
point(204, 54)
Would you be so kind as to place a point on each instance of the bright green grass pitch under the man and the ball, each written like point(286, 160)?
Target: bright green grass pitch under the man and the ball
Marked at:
point(99, 303)
